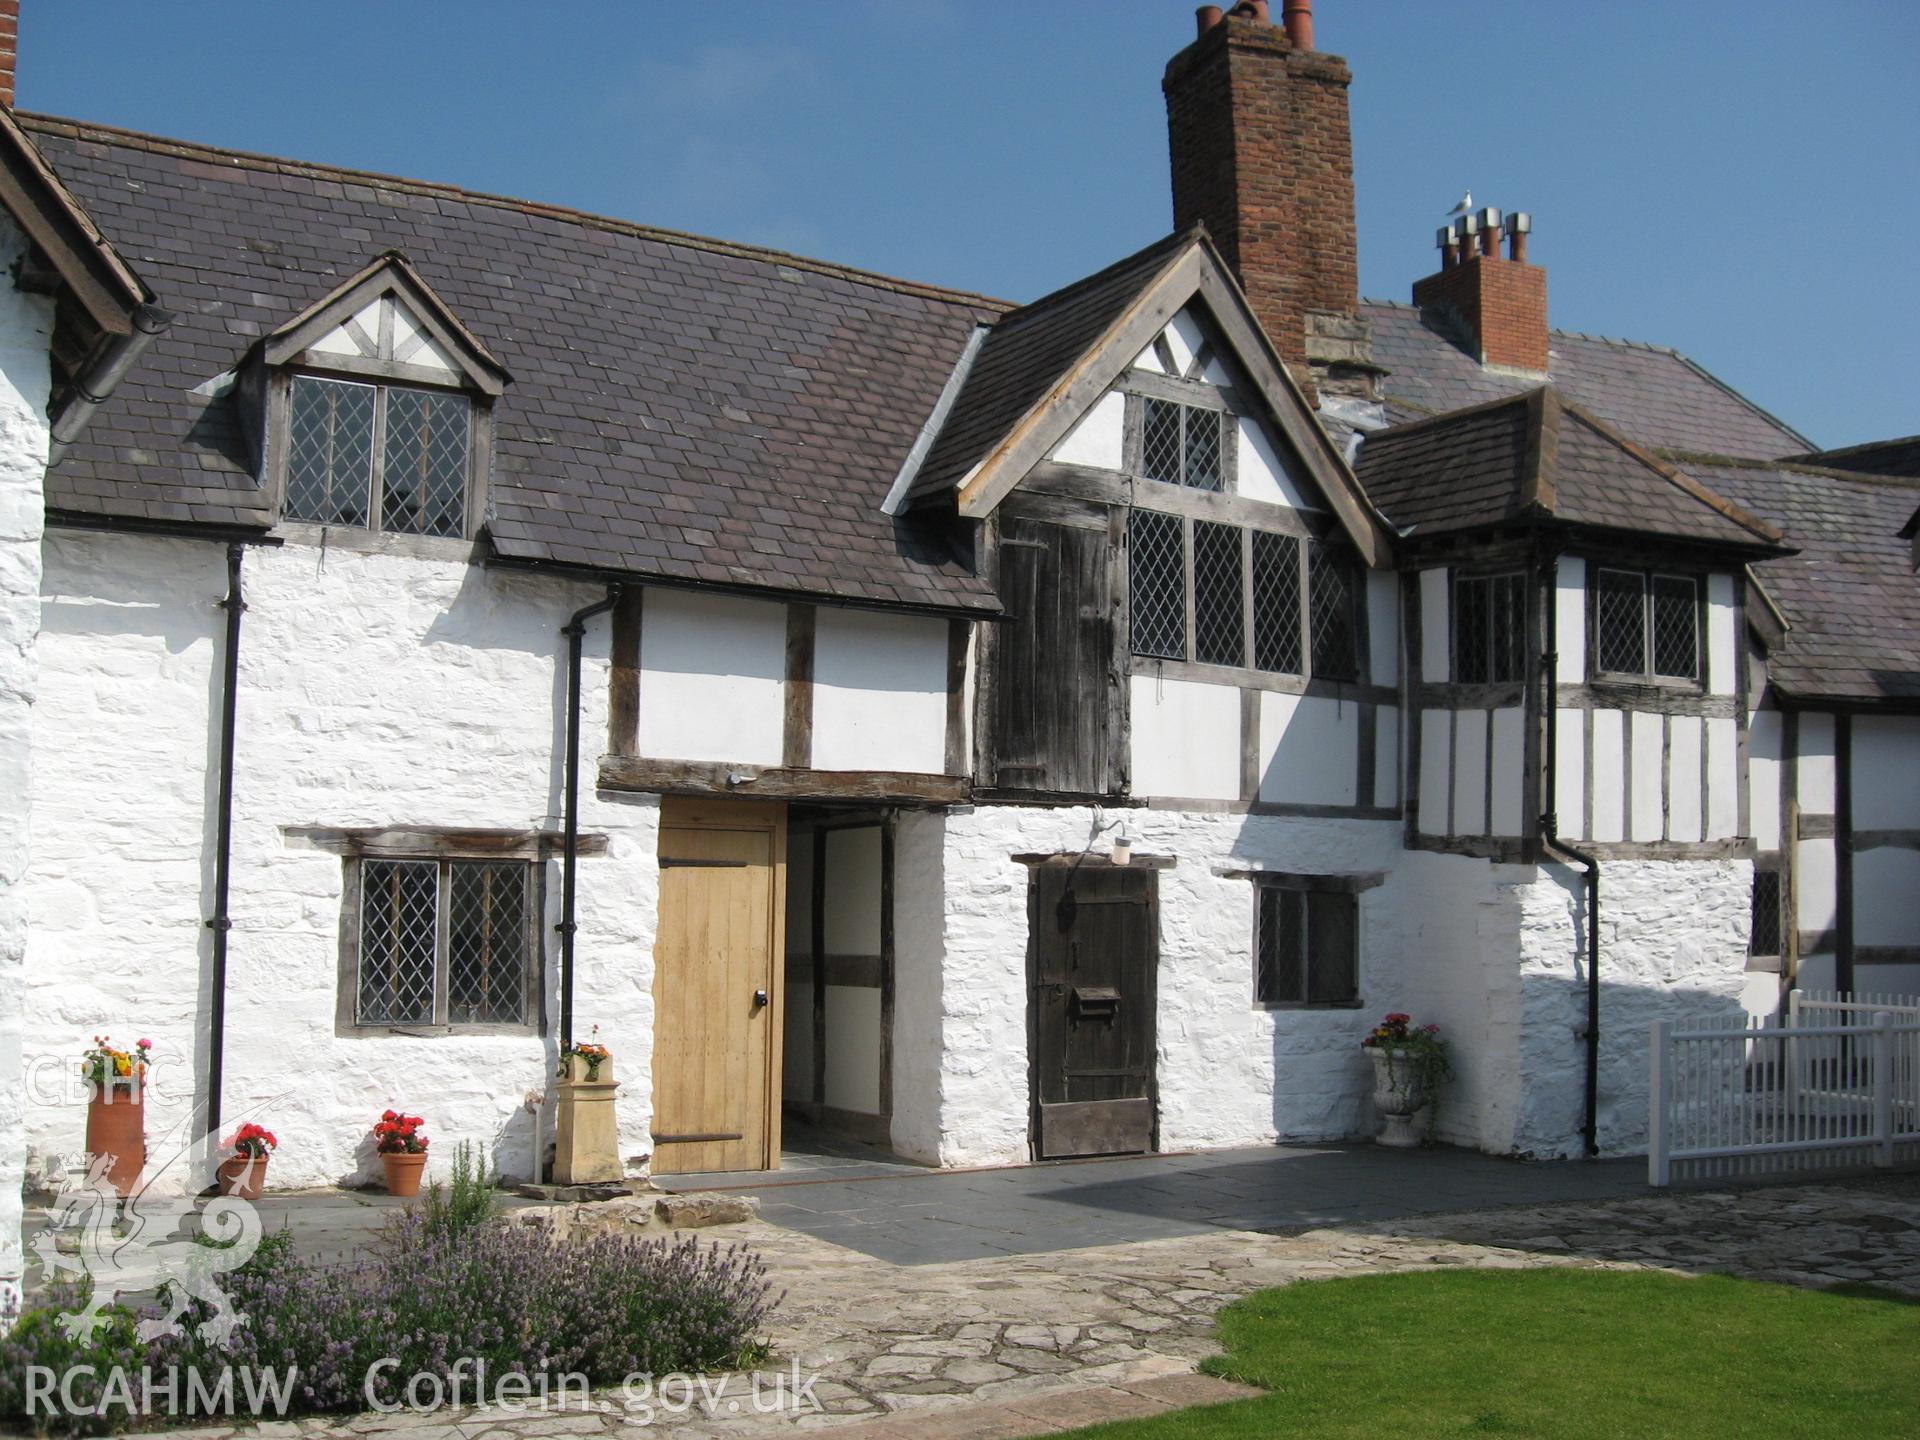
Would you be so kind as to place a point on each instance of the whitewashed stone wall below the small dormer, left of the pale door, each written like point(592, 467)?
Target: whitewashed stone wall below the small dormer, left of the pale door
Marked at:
point(375, 690)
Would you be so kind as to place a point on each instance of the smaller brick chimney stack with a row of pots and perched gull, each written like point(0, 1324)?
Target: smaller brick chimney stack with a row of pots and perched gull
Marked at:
point(1499, 304)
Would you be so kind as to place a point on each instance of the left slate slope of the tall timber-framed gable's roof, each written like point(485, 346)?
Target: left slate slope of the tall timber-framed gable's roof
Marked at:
point(1026, 354)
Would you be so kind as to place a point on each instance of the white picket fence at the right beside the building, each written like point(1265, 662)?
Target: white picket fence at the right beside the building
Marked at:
point(1835, 1086)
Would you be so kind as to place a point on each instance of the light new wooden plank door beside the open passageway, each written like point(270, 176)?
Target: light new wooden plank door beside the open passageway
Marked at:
point(717, 999)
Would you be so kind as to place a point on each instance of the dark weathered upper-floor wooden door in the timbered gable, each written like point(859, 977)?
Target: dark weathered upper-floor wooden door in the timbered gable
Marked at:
point(1053, 690)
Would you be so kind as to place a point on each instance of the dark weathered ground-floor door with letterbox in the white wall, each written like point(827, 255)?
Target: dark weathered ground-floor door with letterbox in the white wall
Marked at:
point(1093, 963)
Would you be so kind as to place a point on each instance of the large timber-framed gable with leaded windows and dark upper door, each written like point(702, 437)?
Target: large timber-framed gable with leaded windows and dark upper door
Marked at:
point(1184, 556)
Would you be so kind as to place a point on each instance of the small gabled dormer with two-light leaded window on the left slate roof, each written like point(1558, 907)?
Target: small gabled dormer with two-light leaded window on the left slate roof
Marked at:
point(373, 410)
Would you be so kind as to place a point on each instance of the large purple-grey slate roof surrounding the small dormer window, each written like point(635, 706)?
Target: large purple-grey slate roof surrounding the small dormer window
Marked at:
point(681, 408)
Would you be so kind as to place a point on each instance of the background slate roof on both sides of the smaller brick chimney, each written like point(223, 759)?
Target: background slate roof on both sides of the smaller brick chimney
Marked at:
point(1658, 396)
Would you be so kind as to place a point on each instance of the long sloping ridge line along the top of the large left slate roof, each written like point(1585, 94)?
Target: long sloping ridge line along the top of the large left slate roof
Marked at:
point(343, 174)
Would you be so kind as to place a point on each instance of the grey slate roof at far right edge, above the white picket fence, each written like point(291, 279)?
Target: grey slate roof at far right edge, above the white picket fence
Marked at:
point(1850, 596)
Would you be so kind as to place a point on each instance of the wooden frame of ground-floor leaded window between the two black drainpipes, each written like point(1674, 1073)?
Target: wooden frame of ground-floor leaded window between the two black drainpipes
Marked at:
point(347, 1011)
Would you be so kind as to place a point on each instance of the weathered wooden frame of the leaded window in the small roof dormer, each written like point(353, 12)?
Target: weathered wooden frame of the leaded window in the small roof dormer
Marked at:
point(477, 496)
